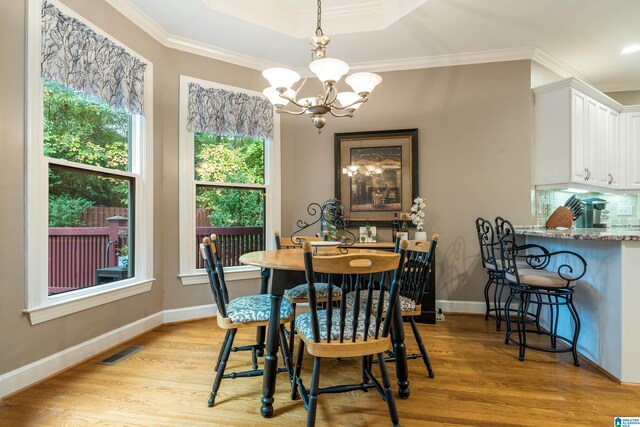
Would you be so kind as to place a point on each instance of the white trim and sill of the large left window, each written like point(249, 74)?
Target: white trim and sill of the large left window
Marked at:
point(39, 305)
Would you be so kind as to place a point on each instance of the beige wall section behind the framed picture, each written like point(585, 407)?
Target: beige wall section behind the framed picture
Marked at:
point(474, 126)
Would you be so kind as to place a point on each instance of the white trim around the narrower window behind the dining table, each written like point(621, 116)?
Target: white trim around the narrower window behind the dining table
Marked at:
point(189, 275)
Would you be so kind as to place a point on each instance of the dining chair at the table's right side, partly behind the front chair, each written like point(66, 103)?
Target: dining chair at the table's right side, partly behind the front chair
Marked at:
point(418, 264)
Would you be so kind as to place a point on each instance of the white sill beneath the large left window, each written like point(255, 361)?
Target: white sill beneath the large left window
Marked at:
point(54, 310)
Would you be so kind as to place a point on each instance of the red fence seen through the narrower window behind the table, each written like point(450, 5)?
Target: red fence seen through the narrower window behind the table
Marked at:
point(232, 242)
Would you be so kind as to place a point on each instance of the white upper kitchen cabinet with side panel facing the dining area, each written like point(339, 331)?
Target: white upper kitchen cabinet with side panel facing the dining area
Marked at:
point(576, 136)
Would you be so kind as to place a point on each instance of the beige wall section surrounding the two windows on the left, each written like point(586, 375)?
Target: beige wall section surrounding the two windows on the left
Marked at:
point(21, 343)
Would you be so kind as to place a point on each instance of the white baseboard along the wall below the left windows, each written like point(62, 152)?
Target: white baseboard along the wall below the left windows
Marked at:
point(32, 373)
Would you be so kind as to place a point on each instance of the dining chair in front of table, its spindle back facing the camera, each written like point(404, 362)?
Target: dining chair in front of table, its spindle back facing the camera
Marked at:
point(358, 331)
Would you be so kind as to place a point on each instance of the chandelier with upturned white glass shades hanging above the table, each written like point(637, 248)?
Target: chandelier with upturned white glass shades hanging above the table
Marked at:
point(328, 71)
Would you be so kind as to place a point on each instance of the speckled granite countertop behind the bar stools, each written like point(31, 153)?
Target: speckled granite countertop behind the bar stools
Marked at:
point(621, 233)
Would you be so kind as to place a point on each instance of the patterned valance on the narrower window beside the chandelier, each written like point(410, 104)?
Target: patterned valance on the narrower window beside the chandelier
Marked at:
point(225, 112)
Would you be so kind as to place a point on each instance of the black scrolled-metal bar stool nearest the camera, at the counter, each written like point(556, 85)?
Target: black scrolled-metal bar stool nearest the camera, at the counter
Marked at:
point(553, 289)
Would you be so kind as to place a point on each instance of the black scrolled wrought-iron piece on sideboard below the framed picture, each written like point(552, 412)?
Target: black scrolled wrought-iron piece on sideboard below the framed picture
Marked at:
point(331, 217)
